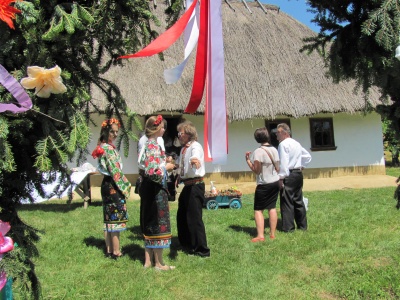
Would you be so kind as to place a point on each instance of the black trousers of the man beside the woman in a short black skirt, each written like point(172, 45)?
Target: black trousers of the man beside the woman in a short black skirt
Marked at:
point(292, 205)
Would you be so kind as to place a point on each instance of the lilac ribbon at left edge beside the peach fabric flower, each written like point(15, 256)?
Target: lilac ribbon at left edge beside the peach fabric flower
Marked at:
point(19, 93)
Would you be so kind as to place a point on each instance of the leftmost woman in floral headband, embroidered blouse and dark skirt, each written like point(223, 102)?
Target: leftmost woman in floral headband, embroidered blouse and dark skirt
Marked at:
point(115, 187)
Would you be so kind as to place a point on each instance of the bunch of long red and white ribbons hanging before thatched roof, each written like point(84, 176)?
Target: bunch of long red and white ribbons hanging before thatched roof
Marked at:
point(202, 24)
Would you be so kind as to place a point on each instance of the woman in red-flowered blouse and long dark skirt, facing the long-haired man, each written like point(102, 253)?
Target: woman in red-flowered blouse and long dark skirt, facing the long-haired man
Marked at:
point(154, 207)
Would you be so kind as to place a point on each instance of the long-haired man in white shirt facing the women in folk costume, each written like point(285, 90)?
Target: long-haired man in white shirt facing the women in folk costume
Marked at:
point(191, 229)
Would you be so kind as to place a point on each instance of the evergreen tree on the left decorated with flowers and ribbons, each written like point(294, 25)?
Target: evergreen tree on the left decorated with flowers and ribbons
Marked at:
point(58, 50)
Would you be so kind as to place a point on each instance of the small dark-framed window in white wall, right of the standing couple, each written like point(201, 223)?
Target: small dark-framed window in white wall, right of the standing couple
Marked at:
point(326, 142)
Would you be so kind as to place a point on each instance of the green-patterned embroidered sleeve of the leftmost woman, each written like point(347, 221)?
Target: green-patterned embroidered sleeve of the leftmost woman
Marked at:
point(112, 161)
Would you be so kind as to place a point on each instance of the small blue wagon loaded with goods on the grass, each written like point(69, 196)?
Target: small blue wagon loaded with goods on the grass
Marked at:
point(230, 198)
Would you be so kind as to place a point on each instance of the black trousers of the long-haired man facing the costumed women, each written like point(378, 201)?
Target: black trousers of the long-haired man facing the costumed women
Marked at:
point(189, 218)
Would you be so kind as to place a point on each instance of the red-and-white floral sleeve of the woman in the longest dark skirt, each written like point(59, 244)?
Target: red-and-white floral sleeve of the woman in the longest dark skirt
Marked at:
point(154, 161)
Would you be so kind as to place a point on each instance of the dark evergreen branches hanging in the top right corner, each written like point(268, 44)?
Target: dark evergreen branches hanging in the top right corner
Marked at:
point(358, 40)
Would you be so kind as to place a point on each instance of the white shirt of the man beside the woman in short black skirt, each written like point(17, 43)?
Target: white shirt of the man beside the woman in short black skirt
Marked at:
point(292, 156)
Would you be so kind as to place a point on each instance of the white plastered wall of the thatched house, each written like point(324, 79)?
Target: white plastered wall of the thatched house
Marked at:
point(358, 139)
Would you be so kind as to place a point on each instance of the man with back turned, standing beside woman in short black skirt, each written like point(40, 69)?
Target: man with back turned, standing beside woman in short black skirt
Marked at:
point(293, 158)
